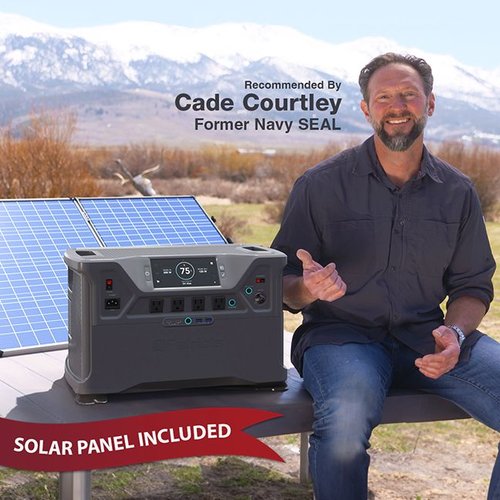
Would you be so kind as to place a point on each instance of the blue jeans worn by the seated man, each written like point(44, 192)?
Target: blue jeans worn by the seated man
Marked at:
point(348, 384)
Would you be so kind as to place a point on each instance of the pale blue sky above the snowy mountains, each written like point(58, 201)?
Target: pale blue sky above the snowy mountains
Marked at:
point(466, 30)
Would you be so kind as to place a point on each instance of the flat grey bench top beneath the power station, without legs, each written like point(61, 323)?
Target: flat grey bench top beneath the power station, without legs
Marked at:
point(33, 389)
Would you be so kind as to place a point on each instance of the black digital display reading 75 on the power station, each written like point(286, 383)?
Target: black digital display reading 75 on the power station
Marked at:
point(185, 271)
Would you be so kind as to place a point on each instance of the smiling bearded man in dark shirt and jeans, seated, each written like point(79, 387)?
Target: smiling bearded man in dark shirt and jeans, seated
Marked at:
point(377, 237)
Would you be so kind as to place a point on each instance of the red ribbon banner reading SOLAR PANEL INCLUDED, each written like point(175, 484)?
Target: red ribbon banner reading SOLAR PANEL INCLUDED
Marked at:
point(124, 441)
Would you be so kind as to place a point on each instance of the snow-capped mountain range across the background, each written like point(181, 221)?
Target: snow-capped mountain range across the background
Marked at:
point(104, 70)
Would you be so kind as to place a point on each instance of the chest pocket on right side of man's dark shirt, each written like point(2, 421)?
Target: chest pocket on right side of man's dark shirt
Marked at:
point(431, 245)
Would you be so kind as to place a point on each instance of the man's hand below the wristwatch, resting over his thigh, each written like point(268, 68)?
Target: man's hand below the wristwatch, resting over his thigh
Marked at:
point(446, 356)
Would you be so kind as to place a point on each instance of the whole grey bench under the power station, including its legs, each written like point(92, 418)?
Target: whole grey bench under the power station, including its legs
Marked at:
point(32, 389)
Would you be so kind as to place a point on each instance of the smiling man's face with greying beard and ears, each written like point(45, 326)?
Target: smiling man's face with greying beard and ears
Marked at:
point(397, 106)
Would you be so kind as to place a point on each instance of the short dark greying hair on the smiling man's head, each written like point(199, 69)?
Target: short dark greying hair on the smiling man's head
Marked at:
point(419, 64)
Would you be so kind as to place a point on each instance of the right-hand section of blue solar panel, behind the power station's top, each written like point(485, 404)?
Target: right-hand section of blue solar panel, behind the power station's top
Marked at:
point(151, 221)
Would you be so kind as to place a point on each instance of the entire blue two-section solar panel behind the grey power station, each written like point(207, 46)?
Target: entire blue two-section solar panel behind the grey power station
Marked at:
point(34, 234)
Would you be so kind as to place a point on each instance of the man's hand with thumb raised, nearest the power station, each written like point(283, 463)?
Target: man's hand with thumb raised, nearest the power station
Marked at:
point(322, 283)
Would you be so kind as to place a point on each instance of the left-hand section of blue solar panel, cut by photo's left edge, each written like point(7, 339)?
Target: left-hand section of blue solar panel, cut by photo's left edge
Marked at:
point(33, 277)
